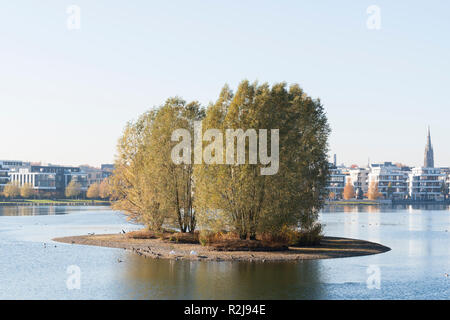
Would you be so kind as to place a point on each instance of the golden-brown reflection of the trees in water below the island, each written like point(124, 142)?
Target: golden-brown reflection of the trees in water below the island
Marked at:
point(159, 279)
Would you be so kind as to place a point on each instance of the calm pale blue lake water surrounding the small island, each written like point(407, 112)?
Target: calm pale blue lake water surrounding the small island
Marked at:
point(413, 269)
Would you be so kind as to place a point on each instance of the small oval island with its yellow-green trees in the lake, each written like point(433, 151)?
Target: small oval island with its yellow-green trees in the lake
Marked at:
point(242, 179)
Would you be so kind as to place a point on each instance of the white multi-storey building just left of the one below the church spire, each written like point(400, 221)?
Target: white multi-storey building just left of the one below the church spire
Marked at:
point(392, 181)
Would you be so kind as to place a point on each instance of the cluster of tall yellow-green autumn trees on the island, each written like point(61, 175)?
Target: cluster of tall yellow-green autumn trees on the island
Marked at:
point(151, 189)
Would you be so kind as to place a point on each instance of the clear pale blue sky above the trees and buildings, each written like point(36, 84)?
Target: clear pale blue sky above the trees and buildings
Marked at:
point(65, 95)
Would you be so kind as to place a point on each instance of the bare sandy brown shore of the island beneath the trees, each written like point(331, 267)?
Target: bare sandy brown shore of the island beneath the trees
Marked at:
point(330, 247)
